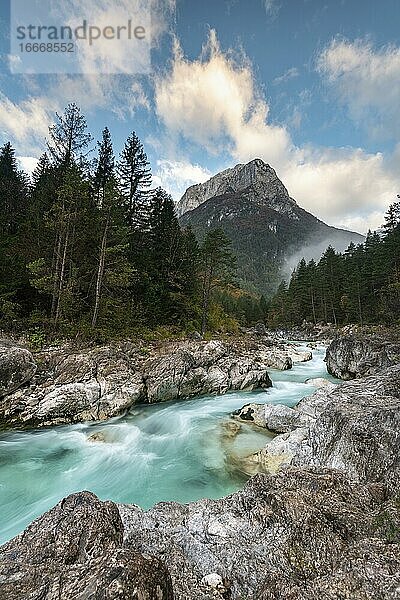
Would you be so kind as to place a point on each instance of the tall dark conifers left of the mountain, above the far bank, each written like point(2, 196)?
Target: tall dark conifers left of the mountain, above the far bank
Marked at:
point(87, 247)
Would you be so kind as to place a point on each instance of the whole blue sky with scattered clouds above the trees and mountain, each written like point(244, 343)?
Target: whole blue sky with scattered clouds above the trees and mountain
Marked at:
point(310, 86)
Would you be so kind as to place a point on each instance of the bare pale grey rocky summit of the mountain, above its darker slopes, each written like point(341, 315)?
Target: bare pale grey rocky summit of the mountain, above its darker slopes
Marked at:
point(266, 188)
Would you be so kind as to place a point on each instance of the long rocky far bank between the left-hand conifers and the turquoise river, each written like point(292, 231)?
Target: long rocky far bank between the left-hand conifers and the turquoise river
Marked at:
point(63, 385)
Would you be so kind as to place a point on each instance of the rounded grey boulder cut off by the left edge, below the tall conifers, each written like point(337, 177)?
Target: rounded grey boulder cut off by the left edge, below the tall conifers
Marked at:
point(17, 366)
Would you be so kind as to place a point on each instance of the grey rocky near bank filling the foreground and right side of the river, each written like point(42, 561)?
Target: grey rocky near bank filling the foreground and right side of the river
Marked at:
point(323, 524)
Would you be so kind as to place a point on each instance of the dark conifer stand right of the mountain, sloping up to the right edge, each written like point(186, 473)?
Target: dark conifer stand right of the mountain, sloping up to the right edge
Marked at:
point(361, 285)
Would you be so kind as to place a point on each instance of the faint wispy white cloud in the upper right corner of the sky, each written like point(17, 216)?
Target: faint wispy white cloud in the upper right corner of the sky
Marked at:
point(367, 81)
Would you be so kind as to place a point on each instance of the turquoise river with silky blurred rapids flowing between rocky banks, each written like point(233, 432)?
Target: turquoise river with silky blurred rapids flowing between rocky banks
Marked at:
point(178, 451)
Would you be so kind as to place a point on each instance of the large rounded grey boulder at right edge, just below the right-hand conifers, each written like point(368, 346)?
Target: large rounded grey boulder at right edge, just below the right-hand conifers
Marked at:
point(352, 356)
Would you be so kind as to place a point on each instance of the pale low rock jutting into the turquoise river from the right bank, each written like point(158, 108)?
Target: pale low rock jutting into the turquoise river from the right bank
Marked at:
point(275, 417)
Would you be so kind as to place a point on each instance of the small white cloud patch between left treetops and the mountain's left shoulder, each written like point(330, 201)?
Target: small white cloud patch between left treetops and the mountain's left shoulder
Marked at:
point(177, 176)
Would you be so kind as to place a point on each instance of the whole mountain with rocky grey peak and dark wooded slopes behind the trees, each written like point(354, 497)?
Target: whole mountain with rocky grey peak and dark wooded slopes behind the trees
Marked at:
point(270, 232)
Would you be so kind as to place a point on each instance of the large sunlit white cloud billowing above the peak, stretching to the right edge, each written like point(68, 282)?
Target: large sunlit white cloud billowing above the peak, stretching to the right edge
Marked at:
point(215, 101)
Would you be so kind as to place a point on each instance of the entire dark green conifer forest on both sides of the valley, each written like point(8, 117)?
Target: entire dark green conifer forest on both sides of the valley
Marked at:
point(89, 249)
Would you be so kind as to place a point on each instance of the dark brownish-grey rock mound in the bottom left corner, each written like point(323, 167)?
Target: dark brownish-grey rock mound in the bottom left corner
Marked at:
point(76, 551)
